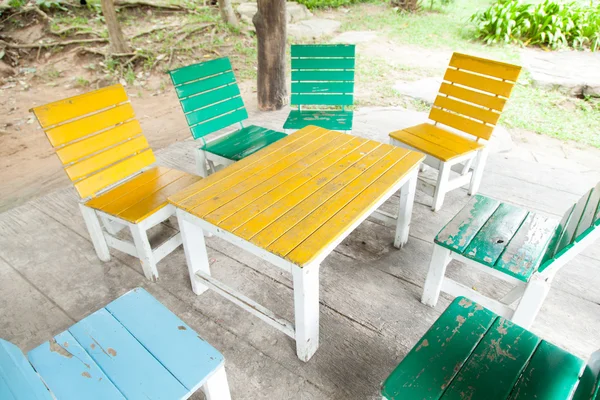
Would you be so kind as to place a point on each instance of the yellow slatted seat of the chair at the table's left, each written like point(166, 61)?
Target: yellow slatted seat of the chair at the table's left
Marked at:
point(140, 197)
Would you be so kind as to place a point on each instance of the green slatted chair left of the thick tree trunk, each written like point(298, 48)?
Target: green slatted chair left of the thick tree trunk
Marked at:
point(210, 99)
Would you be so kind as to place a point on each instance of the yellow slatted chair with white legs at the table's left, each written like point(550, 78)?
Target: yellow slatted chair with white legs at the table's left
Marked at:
point(105, 154)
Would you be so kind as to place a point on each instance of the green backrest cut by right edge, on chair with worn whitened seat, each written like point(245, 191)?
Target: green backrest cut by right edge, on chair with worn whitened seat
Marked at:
point(578, 222)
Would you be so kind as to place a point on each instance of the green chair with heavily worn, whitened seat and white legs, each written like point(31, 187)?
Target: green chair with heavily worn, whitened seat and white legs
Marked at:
point(515, 245)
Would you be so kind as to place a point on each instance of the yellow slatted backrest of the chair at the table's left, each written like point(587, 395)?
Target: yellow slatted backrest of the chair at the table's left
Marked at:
point(96, 137)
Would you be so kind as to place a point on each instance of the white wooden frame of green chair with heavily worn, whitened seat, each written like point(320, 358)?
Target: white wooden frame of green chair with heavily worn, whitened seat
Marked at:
point(529, 297)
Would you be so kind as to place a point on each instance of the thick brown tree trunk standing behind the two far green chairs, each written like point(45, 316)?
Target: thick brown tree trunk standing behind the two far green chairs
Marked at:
point(270, 23)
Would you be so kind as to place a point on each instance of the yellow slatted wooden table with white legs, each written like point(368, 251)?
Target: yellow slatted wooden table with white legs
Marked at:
point(292, 203)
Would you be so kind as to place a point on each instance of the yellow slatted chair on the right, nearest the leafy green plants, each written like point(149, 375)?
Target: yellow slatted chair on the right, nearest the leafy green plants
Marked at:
point(464, 114)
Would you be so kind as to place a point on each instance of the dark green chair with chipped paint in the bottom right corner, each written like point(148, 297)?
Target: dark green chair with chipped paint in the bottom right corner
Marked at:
point(472, 353)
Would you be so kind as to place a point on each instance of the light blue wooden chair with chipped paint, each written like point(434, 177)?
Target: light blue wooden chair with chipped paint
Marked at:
point(134, 348)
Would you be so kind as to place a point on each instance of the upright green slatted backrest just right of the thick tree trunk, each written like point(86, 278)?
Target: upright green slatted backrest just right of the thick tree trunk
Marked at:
point(323, 74)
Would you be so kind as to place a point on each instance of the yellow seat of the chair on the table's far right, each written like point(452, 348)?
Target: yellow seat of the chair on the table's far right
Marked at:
point(435, 141)
